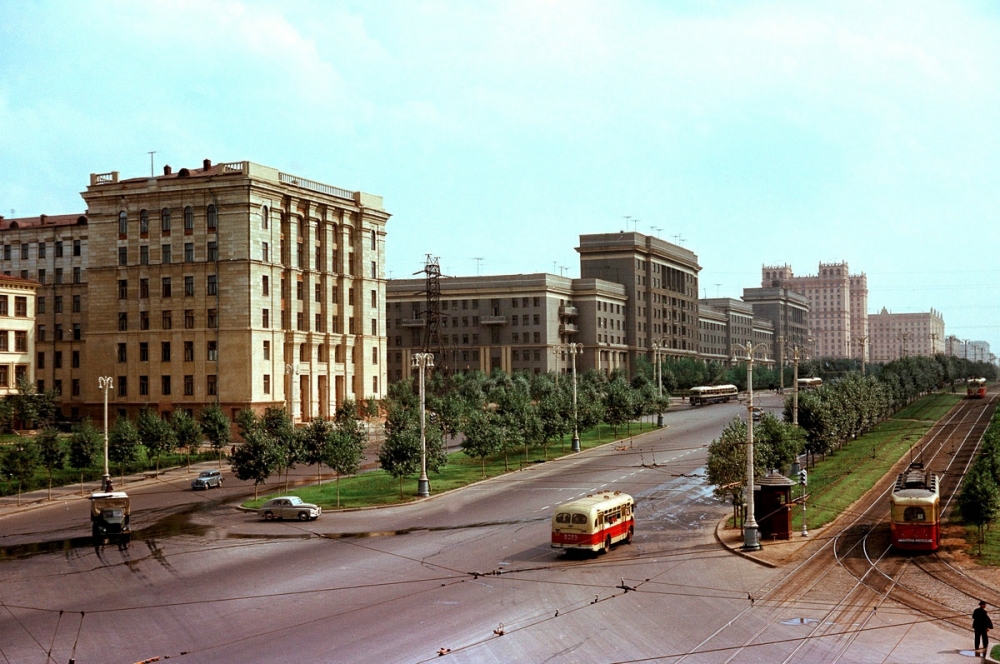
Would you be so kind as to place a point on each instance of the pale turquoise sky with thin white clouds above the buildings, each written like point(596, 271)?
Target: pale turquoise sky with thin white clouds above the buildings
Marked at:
point(751, 133)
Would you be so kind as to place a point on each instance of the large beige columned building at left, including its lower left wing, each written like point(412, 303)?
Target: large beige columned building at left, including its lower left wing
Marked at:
point(232, 283)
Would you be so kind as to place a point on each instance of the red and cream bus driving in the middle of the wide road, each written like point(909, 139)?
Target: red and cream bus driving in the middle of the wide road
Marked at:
point(594, 523)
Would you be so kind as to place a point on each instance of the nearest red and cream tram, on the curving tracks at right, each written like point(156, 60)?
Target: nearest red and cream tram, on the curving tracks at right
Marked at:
point(915, 510)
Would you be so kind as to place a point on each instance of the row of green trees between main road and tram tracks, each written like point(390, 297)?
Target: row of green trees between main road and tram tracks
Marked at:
point(848, 405)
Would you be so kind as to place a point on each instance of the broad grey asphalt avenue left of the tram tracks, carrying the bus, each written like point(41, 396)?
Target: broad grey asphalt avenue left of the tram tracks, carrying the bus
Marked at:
point(470, 571)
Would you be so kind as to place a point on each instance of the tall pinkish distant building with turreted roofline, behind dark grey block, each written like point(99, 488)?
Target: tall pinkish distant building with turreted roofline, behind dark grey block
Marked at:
point(838, 306)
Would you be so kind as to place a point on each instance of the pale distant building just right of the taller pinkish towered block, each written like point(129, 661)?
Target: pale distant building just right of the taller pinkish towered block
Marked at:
point(898, 335)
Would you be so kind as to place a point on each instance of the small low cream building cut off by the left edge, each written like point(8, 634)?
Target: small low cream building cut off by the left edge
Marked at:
point(17, 332)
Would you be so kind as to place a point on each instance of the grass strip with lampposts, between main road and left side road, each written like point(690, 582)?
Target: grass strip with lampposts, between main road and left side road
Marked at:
point(379, 488)
